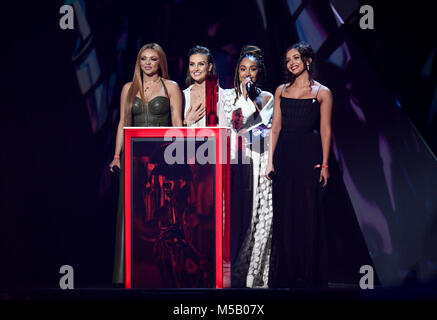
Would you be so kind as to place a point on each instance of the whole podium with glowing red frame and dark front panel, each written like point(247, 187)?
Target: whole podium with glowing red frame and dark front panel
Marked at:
point(177, 207)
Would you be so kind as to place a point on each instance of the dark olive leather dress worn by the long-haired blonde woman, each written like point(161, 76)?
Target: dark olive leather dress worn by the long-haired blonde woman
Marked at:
point(155, 113)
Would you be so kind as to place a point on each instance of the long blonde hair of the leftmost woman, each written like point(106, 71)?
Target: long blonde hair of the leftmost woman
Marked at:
point(137, 82)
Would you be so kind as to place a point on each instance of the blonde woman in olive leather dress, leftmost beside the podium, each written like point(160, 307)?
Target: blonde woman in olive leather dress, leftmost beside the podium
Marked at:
point(150, 100)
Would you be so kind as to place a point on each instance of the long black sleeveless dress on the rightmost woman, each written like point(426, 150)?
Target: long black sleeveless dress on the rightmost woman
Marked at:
point(298, 256)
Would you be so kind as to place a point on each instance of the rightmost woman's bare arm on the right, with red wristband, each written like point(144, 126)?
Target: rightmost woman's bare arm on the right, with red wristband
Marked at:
point(325, 129)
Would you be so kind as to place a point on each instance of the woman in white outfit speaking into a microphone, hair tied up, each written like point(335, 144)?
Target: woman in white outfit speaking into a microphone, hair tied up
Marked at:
point(249, 114)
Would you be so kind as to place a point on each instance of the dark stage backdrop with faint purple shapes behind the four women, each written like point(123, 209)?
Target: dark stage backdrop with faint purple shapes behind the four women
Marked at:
point(60, 100)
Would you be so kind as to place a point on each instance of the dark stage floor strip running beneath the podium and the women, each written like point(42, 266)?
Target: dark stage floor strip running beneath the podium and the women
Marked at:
point(417, 292)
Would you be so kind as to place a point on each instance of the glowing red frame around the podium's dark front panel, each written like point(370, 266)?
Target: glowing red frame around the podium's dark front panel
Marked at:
point(221, 168)
